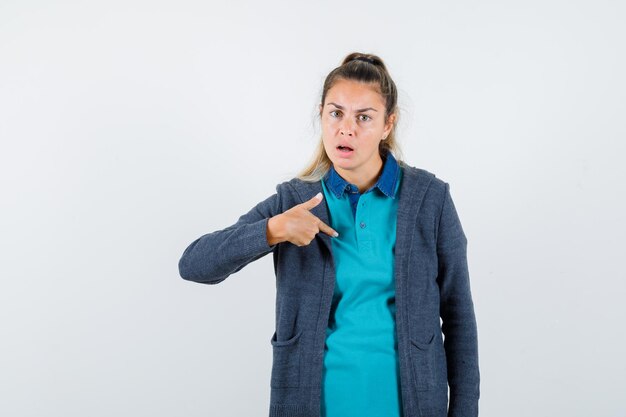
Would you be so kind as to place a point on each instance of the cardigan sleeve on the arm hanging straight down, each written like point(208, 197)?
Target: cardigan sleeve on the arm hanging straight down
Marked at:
point(457, 313)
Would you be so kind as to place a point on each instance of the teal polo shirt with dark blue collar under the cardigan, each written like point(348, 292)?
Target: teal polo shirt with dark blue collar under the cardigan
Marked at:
point(360, 374)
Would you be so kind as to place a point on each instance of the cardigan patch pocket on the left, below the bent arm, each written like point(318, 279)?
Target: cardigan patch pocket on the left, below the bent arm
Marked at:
point(286, 362)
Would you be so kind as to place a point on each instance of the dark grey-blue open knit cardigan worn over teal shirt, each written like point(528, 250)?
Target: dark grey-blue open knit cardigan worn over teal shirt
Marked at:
point(432, 283)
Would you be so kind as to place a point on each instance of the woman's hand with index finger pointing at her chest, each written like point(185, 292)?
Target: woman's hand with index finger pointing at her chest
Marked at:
point(297, 225)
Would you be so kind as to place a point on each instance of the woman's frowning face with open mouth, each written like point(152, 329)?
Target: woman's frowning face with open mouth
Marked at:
point(353, 124)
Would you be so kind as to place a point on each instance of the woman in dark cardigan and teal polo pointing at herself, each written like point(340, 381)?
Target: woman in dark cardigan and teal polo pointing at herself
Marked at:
point(368, 282)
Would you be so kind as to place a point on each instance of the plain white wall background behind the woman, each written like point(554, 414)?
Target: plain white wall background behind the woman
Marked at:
point(130, 128)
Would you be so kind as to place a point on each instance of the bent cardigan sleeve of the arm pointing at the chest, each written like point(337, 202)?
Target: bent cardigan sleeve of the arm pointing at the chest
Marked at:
point(211, 258)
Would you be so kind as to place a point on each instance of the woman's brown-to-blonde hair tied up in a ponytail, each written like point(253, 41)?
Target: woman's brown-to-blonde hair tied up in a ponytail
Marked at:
point(366, 68)
